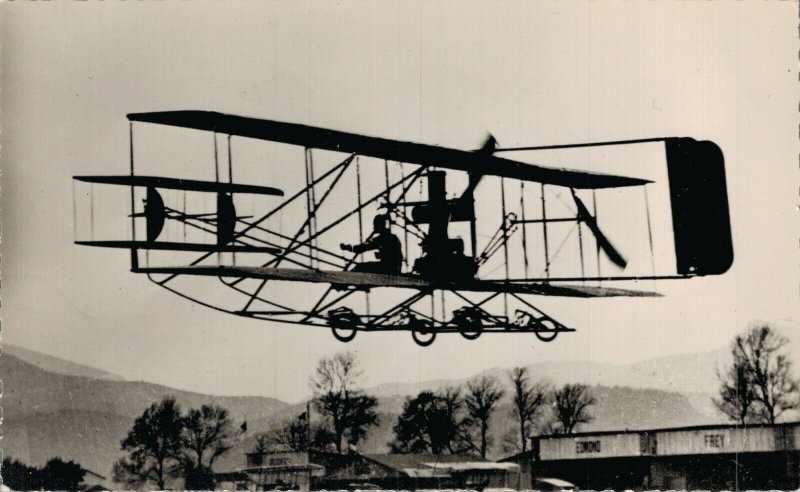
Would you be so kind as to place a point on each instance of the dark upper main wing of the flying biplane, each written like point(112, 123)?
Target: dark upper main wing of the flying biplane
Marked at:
point(394, 150)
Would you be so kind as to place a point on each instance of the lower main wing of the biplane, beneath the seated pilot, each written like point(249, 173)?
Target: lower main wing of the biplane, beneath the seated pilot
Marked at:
point(369, 280)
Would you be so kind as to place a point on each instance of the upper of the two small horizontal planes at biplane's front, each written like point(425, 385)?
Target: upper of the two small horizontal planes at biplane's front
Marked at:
point(181, 184)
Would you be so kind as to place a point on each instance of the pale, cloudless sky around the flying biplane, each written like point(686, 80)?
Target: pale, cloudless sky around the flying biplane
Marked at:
point(443, 73)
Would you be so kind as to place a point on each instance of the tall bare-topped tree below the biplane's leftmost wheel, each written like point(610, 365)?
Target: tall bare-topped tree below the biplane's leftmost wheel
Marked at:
point(337, 397)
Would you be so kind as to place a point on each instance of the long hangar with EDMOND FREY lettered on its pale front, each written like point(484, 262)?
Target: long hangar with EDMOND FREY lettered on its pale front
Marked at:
point(712, 457)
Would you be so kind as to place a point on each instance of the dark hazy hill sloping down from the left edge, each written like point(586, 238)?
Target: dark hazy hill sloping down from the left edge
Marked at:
point(84, 419)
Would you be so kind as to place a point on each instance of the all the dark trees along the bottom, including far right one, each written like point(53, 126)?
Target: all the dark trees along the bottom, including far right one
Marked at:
point(166, 443)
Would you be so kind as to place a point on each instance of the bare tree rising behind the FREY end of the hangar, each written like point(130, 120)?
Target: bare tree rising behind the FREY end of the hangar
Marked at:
point(759, 387)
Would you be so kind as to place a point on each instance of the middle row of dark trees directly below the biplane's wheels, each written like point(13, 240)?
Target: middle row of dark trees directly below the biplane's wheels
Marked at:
point(453, 420)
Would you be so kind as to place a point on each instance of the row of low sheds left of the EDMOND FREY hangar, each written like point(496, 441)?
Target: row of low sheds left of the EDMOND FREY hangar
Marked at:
point(288, 470)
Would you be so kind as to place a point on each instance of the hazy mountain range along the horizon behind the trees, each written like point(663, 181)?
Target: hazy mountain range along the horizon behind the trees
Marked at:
point(54, 407)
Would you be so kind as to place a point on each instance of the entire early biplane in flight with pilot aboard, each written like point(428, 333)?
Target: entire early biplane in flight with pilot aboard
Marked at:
point(441, 283)
